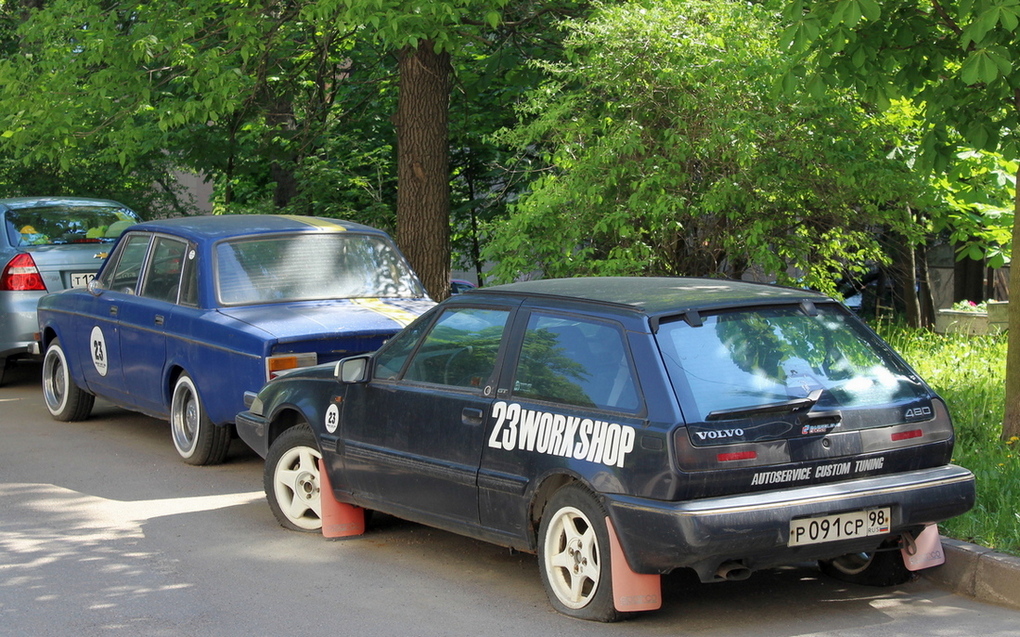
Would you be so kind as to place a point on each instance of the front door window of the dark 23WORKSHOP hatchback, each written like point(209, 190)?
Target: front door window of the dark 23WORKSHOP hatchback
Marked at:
point(461, 351)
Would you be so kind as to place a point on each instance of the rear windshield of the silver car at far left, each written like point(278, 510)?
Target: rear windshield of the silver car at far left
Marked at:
point(58, 226)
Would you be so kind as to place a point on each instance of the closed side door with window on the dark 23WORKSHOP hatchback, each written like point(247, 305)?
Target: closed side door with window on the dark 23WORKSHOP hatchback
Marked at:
point(414, 439)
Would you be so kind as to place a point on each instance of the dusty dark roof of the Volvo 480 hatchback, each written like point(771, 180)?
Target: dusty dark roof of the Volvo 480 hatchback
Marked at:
point(658, 297)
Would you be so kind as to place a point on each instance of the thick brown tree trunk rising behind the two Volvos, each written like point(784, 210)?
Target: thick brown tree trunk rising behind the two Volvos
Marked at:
point(423, 166)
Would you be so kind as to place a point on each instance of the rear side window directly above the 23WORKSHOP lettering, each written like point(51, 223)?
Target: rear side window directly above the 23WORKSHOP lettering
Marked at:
point(577, 362)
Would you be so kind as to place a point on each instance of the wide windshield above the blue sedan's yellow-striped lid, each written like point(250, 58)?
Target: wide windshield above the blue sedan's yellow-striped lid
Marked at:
point(313, 267)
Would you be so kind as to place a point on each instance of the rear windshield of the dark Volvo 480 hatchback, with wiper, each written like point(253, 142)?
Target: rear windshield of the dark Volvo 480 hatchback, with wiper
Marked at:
point(766, 359)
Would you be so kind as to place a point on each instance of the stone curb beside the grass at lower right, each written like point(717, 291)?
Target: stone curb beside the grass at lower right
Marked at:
point(978, 572)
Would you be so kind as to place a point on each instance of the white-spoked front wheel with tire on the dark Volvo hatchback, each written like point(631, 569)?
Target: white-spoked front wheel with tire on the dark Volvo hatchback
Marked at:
point(291, 480)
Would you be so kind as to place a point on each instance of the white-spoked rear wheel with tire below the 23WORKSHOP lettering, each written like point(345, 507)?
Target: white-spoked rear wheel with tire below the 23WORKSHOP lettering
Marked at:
point(574, 556)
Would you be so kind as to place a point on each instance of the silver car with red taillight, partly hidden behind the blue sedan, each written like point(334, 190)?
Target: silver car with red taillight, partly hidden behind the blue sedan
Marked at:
point(49, 244)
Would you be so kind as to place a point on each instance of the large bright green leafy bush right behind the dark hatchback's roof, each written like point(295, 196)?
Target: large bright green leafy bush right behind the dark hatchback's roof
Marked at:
point(659, 150)
